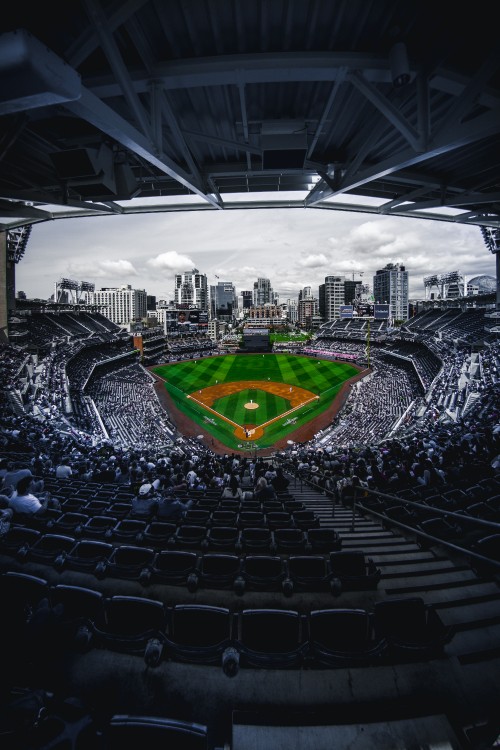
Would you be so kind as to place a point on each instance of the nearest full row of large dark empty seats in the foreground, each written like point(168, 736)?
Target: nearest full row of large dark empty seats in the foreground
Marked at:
point(395, 629)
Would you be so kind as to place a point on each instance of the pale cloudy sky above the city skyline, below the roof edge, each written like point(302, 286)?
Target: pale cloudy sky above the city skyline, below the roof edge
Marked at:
point(293, 247)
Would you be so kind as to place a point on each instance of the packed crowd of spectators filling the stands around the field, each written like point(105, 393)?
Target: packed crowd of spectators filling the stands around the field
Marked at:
point(391, 433)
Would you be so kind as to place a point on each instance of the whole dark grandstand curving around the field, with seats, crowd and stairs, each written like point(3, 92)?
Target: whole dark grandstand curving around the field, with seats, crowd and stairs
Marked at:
point(257, 619)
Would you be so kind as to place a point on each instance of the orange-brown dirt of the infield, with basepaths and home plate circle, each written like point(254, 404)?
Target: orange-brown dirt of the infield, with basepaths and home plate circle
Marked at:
point(296, 396)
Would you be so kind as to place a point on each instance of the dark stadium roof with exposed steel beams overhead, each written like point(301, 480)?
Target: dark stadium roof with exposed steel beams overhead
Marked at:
point(369, 105)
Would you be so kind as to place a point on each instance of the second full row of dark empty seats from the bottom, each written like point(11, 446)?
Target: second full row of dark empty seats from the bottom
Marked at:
point(336, 571)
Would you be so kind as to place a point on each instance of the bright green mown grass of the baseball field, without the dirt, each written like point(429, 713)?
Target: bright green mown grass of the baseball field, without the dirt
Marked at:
point(322, 377)
